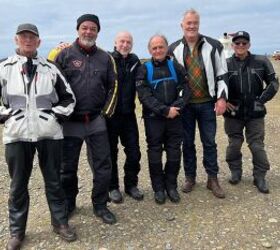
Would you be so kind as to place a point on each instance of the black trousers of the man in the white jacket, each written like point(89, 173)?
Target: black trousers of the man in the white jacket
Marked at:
point(19, 157)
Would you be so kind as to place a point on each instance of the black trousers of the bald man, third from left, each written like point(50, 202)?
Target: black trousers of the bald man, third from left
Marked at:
point(124, 127)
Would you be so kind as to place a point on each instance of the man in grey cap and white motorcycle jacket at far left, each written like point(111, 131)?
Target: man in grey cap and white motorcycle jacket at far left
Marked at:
point(35, 99)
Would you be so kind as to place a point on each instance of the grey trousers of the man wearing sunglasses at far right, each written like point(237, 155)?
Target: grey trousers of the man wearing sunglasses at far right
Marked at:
point(254, 133)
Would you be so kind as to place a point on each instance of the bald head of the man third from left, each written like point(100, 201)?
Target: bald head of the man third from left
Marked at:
point(124, 43)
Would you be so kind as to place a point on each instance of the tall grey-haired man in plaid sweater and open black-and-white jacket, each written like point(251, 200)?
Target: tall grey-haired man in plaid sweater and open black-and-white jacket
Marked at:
point(204, 60)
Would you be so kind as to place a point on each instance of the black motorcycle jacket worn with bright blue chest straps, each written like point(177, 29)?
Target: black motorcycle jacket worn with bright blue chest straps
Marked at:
point(157, 100)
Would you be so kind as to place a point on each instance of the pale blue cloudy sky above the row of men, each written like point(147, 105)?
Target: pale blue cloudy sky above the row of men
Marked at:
point(56, 20)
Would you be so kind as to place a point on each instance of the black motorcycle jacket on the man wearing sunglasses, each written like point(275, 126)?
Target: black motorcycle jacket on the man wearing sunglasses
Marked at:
point(246, 86)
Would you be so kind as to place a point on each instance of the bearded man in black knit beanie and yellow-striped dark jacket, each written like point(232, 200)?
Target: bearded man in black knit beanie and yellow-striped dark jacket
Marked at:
point(91, 73)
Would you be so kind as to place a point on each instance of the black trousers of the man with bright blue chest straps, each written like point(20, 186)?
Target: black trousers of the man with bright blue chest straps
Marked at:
point(164, 135)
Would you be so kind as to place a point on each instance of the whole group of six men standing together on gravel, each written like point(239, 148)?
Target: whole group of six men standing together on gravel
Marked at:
point(90, 97)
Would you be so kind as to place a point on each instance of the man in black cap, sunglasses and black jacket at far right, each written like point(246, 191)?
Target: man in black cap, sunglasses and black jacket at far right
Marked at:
point(246, 108)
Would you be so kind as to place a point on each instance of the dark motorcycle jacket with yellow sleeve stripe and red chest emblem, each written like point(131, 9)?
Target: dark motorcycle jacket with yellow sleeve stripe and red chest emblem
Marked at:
point(92, 76)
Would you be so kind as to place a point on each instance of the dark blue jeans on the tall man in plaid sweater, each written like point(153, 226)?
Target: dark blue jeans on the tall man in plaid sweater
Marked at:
point(205, 116)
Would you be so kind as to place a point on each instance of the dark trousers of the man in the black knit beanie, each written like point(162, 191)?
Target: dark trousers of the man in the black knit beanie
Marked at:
point(98, 153)
